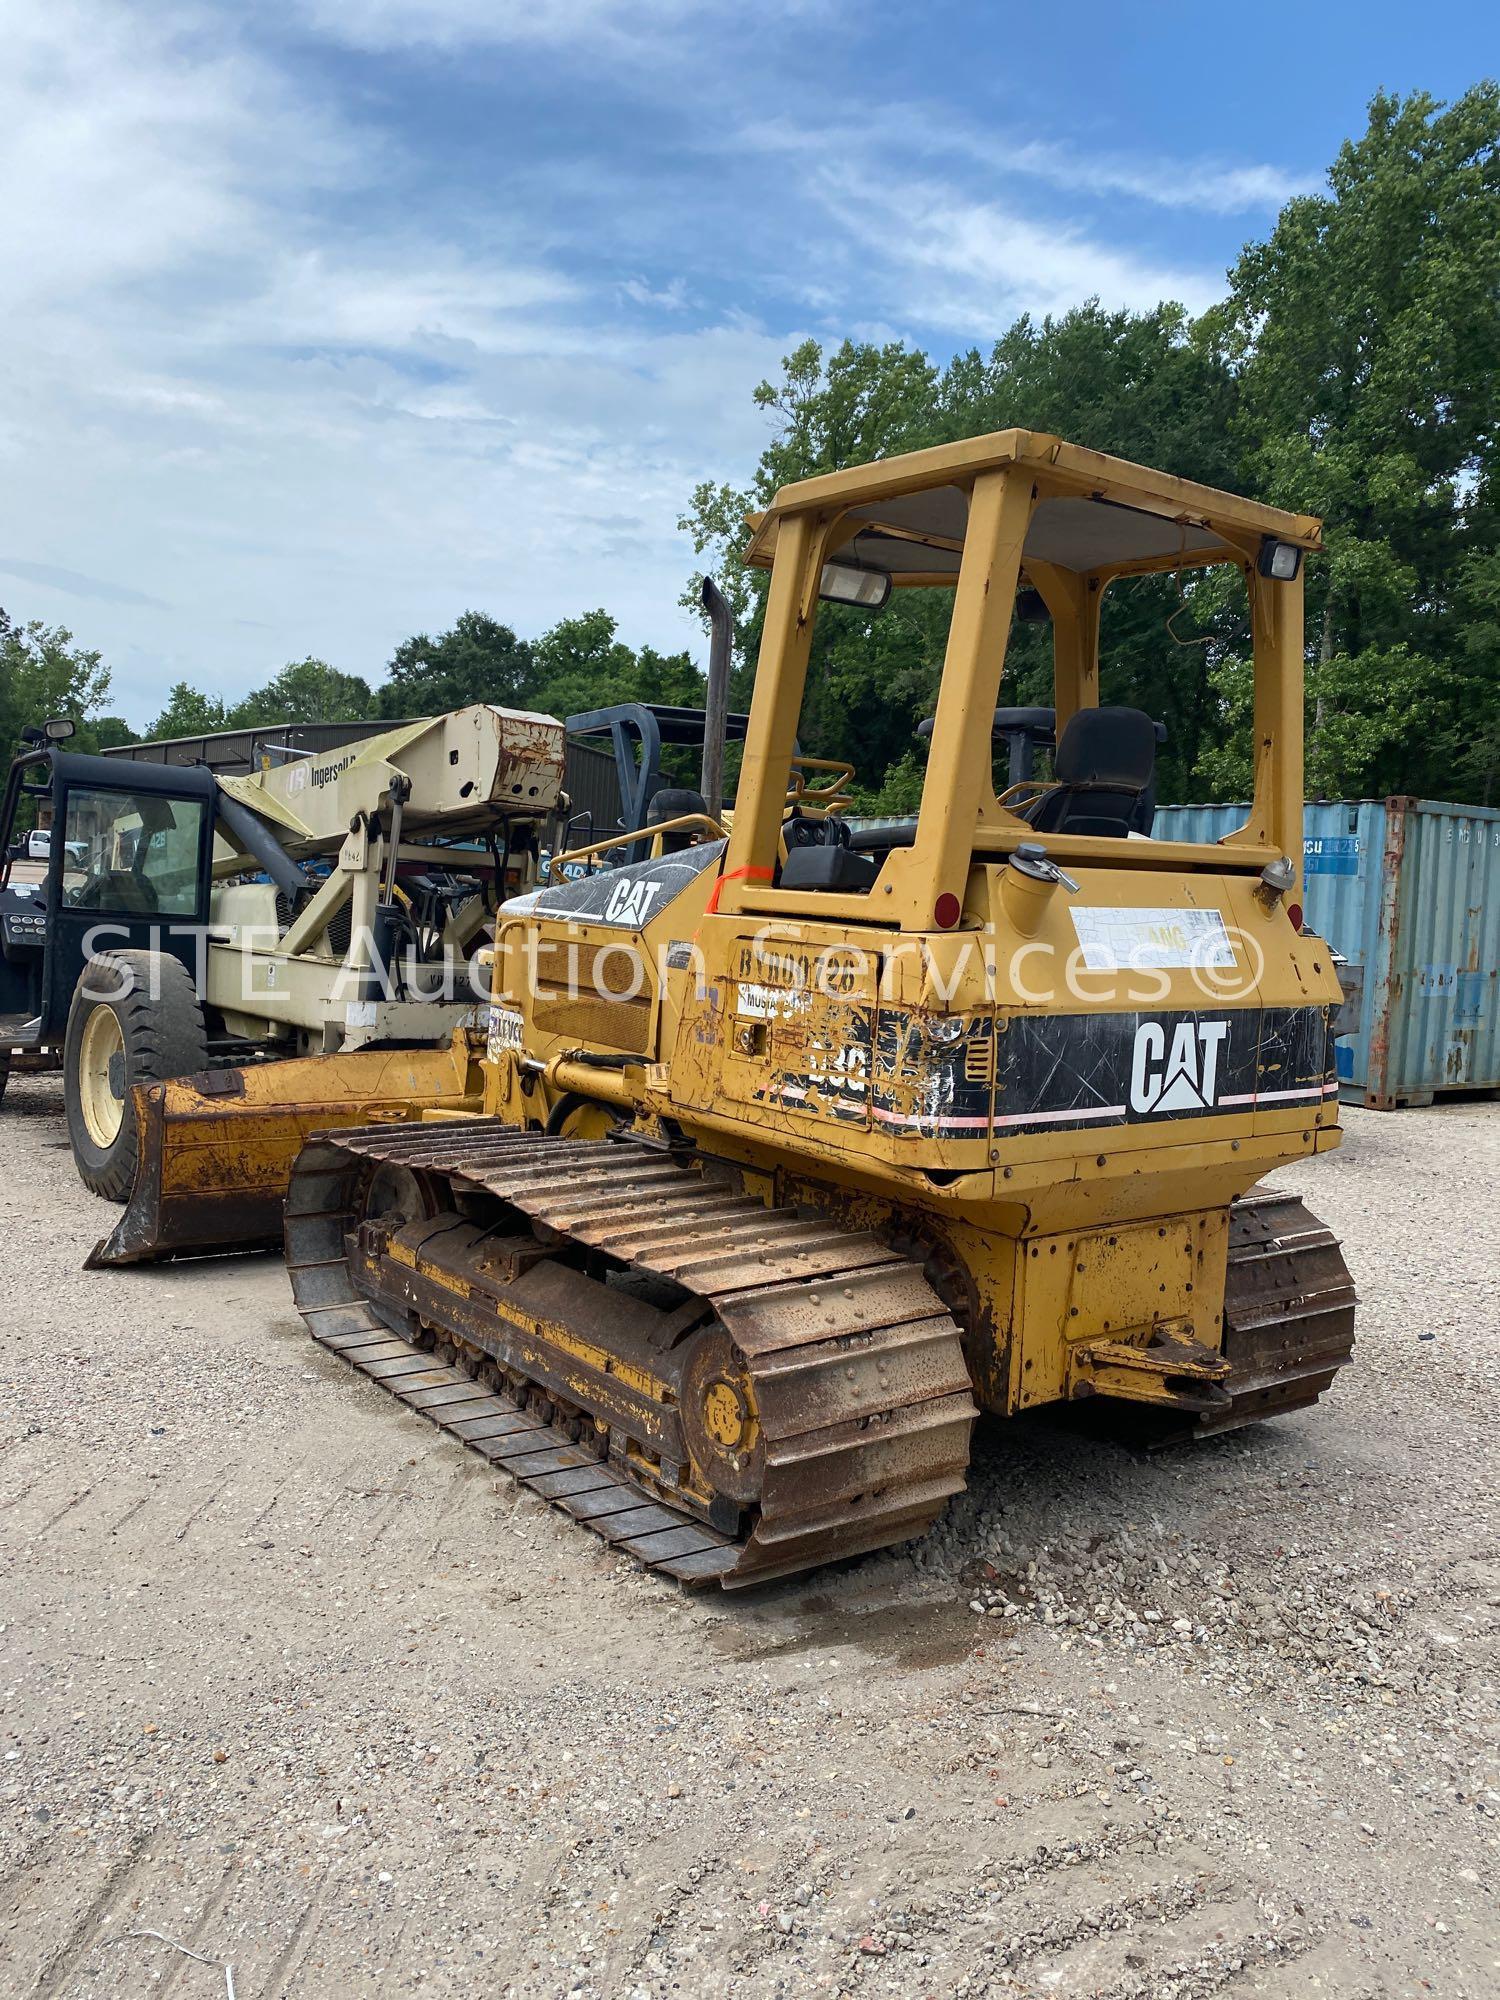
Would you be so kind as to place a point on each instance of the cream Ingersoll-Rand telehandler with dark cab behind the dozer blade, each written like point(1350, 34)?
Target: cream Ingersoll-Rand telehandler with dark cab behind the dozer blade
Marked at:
point(211, 921)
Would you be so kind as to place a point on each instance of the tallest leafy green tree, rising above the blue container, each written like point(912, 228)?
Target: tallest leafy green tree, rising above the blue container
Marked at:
point(1367, 345)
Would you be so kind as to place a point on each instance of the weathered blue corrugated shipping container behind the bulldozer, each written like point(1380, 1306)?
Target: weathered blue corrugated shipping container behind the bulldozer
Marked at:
point(1409, 891)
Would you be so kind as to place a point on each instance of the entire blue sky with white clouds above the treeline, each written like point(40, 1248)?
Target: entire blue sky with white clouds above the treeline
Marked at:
point(329, 319)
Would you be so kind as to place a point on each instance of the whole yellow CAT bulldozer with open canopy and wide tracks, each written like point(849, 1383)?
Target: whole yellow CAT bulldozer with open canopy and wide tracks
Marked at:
point(791, 1149)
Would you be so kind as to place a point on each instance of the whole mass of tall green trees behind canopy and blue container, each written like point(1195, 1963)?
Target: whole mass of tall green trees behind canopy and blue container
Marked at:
point(1353, 373)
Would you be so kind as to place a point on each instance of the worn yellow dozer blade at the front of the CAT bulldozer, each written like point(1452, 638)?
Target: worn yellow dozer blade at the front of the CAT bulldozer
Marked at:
point(217, 1149)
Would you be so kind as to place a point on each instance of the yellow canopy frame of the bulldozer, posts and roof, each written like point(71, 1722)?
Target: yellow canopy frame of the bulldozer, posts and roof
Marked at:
point(1005, 477)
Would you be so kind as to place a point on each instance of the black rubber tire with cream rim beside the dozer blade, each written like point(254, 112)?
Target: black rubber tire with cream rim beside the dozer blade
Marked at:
point(161, 1037)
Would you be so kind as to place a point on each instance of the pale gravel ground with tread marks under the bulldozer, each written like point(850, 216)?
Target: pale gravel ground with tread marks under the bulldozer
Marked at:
point(303, 1687)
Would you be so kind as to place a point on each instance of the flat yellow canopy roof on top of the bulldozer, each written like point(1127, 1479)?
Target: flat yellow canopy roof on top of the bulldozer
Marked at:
point(1097, 515)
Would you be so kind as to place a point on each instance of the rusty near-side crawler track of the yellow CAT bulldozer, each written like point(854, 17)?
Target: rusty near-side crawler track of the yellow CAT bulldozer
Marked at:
point(729, 1393)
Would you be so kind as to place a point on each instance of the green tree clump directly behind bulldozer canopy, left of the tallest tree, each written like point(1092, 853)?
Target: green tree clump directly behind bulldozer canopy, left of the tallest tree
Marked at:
point(1141, 385)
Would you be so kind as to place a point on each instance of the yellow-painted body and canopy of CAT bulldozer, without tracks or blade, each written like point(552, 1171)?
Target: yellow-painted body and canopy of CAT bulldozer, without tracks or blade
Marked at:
point(1095, 1259)
